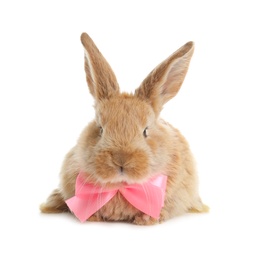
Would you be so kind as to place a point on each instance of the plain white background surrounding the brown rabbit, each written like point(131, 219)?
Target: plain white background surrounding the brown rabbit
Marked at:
point(45, 103)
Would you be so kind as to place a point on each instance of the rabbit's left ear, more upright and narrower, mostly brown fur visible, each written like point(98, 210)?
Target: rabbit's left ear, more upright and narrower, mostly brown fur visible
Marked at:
point(101, 80)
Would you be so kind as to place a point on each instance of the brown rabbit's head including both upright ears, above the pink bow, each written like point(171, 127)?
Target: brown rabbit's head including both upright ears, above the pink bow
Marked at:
point(127, 142)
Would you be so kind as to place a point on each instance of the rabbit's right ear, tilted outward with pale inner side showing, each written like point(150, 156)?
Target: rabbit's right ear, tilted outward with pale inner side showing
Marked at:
point(164, 82)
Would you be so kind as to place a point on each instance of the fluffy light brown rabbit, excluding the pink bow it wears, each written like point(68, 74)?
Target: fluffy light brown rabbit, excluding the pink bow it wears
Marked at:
point(128, 142)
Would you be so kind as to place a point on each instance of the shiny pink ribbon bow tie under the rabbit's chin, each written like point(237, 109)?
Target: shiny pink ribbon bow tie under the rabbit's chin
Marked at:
point(148, 197)
